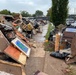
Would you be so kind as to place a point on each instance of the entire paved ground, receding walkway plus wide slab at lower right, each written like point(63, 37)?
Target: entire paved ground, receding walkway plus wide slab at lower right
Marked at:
point(41, 60)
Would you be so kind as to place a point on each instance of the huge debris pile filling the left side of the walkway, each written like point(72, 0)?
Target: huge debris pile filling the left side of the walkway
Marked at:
point(15, 45)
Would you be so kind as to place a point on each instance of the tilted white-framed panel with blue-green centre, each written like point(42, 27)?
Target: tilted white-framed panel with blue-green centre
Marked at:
point(21, 46)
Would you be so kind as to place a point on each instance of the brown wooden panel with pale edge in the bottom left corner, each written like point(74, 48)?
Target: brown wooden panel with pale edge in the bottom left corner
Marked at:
point(12, 68)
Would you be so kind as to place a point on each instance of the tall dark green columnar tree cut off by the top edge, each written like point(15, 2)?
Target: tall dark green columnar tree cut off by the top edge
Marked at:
point(59, 11)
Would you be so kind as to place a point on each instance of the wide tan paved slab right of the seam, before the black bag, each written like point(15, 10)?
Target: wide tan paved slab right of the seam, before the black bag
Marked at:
point(54, 66)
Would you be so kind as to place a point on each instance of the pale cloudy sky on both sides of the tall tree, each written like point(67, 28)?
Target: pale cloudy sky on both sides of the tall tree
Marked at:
point(31, 5)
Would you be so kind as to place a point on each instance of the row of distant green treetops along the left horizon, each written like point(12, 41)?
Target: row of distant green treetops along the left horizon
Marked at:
point(38, 13)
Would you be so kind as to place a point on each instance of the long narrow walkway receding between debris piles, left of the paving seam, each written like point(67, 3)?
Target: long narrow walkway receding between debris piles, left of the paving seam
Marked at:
point(36, 60)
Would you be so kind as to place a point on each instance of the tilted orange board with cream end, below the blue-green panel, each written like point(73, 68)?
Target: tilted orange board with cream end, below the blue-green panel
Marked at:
point(16, 54)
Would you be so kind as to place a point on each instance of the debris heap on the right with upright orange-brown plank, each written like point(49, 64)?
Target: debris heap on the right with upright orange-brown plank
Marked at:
point(64, 40)
